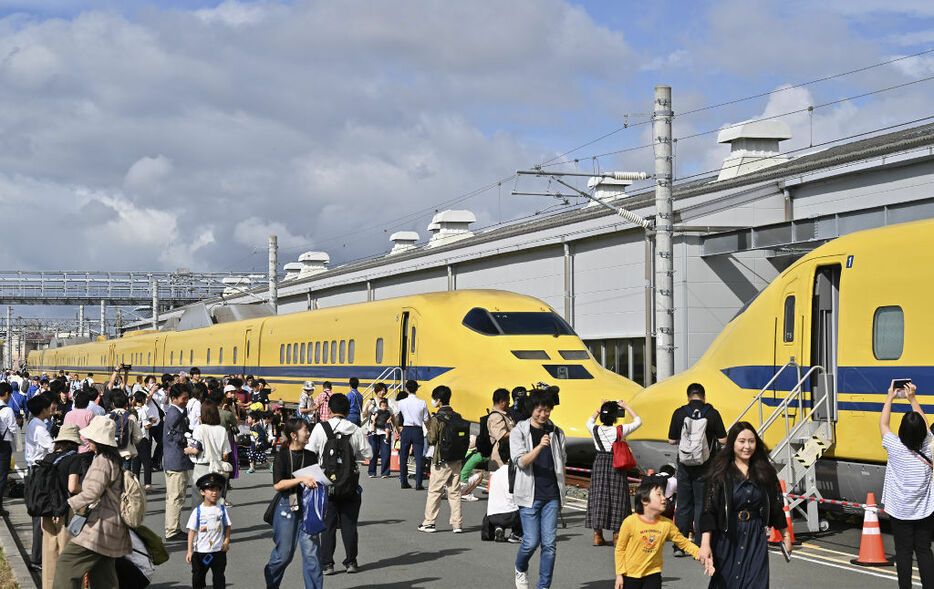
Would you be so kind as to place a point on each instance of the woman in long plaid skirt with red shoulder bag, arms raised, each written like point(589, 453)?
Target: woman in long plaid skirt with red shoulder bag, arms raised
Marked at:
point(608, 501)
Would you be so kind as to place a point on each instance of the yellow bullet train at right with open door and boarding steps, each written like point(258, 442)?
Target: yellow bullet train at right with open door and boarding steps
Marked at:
point(857, 306)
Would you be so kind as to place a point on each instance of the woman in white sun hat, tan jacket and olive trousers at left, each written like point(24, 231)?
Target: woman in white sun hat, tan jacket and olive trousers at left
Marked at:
point(104, 537)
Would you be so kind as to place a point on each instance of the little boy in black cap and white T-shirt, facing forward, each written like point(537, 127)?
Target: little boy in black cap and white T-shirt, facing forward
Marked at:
point(209, 534)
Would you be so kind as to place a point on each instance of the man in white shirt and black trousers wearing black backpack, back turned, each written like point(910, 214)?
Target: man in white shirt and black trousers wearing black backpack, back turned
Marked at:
point(342, 511)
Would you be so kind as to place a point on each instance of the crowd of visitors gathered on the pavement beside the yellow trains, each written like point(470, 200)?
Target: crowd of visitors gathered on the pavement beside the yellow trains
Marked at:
point(195, 429)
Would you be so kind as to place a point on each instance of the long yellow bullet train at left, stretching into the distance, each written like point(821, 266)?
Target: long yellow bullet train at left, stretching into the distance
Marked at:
point(471, 340)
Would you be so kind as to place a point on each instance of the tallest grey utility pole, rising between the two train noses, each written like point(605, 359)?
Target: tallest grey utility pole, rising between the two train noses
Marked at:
point(664, 250)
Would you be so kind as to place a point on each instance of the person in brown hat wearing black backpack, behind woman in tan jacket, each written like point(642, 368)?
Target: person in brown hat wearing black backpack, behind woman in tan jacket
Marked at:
point(69, 467)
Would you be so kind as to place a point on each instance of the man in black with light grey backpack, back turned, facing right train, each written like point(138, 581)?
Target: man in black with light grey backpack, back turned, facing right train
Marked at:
point(694, 428)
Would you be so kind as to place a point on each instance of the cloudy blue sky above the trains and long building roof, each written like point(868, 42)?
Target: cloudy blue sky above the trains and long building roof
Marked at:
point(158, 135)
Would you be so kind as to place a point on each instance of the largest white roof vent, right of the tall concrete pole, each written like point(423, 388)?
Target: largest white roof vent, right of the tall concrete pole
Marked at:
point(753, 146)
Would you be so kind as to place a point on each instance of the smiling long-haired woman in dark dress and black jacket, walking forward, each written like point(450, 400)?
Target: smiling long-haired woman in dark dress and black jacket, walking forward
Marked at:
point(743, 499)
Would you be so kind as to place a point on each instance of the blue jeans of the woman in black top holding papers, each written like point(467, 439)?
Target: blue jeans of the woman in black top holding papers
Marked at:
point(287, 532)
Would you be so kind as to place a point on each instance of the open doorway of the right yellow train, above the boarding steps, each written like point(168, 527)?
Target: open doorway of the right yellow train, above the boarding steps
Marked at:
point(824, 329)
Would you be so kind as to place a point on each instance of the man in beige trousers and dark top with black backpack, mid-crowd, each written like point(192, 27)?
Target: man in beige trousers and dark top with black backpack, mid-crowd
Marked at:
point(450, 434)
